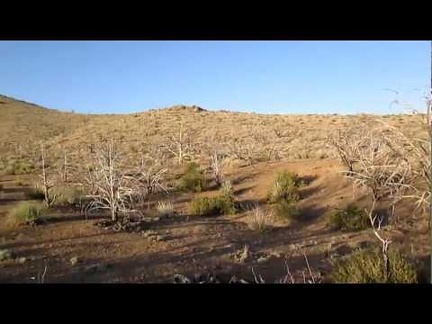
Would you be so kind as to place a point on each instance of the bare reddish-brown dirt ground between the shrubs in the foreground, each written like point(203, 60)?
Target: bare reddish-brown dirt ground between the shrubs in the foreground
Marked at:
point(71, 249)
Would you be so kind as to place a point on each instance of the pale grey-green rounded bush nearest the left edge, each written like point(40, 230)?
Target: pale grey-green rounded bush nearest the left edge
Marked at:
point(26, 213)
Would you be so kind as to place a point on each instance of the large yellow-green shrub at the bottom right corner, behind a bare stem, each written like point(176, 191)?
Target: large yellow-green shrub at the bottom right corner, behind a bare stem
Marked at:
point(368, 267)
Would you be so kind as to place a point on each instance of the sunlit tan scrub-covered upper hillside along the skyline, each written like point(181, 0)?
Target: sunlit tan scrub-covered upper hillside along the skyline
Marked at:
point(23, 126)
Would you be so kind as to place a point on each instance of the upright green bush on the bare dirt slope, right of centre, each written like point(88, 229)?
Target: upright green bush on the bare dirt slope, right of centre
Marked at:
point(285, 187)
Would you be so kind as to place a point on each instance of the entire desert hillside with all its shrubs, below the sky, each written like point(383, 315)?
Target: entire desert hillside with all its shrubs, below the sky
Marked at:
point(282, 199)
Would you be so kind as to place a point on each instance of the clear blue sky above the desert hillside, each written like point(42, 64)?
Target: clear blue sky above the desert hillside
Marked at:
point(259, 76)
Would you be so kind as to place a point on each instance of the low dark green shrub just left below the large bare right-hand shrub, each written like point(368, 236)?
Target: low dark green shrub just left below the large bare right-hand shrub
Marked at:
point(352, 218)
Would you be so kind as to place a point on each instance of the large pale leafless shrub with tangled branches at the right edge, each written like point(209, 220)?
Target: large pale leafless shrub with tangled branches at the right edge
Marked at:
point(391, 167)
